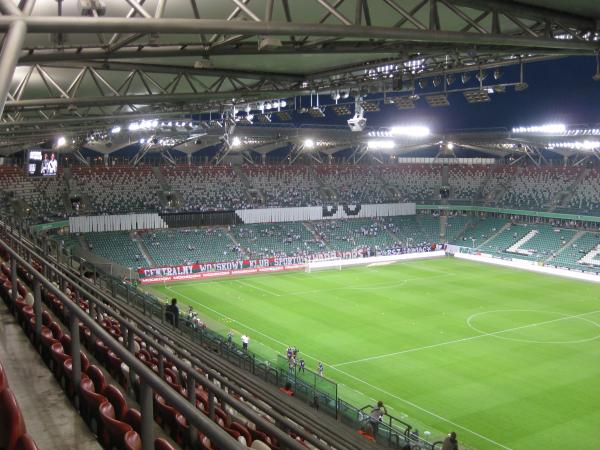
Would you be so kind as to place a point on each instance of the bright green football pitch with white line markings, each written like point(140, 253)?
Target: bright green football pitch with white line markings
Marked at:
point(507, 359)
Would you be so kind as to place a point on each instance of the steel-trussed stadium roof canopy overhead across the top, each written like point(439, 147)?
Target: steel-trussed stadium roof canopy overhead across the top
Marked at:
point(93, 63)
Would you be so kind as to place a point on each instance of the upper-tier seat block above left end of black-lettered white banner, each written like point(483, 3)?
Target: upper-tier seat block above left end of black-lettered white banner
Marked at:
point(284, 185)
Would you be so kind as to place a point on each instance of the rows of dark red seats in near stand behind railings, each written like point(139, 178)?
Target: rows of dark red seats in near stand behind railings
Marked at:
point(107, 408)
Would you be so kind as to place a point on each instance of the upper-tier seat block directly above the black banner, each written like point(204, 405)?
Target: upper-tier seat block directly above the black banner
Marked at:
point(207, 188)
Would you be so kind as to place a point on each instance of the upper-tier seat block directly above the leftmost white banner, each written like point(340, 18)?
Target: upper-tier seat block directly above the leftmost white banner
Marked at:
point(117, 189)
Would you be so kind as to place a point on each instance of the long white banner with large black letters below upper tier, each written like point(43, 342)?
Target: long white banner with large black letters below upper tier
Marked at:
point(325, 212)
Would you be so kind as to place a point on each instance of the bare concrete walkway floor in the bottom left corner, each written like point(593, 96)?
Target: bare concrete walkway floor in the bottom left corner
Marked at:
point(51, 420)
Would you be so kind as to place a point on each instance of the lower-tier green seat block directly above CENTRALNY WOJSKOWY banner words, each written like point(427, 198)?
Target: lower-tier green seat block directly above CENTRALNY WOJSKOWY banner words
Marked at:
point(180, 246)
